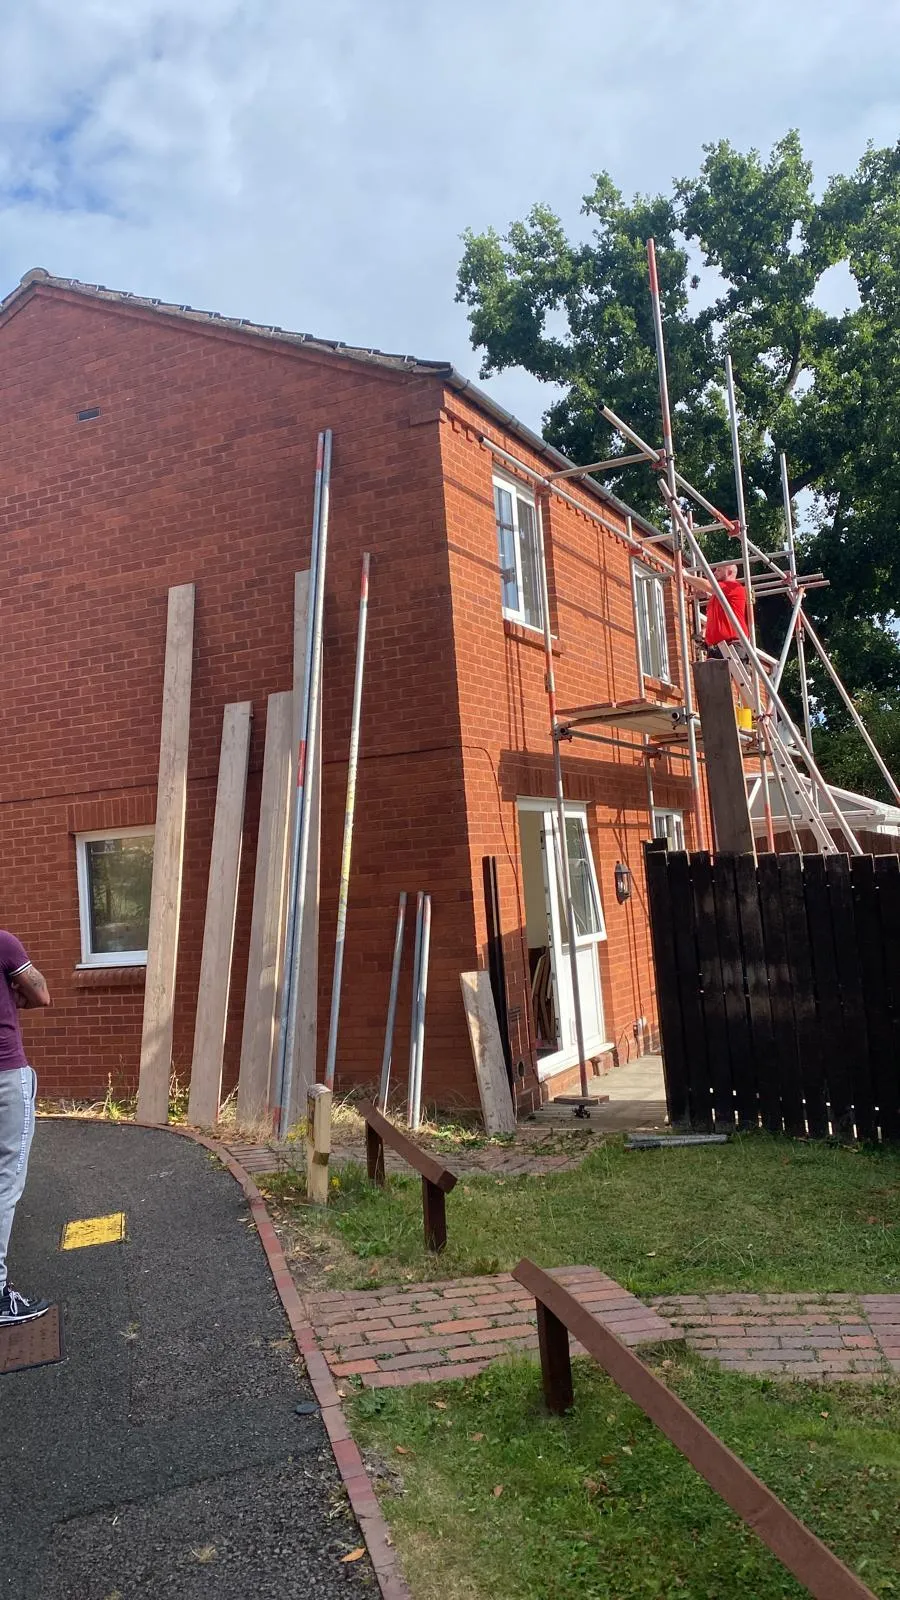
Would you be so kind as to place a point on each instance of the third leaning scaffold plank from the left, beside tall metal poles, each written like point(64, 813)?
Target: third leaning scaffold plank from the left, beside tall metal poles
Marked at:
point(267, 930)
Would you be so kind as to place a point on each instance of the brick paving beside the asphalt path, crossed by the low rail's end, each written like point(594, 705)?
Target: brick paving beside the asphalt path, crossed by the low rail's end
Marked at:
point(432, 1332)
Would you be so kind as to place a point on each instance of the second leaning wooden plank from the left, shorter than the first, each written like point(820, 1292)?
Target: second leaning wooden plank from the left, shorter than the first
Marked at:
point(222, 911)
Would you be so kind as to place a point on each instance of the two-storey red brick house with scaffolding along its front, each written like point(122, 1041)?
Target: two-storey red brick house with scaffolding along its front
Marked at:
point(148, 446)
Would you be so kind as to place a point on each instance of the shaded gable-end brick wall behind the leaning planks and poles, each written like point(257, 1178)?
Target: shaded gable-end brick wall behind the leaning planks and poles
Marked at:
point(201, 470)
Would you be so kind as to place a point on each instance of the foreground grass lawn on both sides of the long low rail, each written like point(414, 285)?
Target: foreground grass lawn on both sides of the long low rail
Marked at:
point(489, 1498)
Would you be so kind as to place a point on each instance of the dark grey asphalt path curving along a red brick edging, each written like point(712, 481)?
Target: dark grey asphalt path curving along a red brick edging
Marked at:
point(164, 1457)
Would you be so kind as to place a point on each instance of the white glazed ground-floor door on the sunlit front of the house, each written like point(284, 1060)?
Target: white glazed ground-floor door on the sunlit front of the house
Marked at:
point(590, 930)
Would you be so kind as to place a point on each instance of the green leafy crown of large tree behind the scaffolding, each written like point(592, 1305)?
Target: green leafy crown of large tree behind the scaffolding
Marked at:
point(742, 250)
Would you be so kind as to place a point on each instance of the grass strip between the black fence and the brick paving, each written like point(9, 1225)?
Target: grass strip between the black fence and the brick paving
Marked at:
point(760, 1214)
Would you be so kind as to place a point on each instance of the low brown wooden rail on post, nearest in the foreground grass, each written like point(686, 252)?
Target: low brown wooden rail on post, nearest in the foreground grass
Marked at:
point(798, 1550)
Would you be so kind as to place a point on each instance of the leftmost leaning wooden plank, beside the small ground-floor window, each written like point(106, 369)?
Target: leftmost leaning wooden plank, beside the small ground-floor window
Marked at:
point(169, 852)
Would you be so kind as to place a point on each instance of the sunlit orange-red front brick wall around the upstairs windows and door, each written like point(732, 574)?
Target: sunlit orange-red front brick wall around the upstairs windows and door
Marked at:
point(505, 727)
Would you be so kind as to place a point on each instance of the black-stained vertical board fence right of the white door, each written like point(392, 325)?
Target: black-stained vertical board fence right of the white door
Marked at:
point(779, 991)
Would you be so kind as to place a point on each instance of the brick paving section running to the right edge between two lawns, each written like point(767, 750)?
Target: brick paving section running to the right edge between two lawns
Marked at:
point(816, 1337)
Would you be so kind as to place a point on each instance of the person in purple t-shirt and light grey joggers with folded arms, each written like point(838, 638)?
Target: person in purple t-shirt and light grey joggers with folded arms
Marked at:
point(22, 985)
